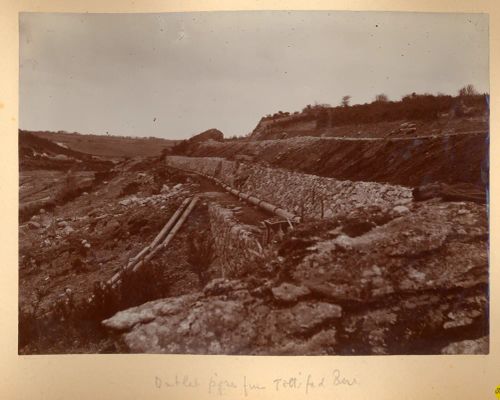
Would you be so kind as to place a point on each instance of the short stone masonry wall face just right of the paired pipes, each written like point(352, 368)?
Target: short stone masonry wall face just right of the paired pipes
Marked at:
point(236, 245)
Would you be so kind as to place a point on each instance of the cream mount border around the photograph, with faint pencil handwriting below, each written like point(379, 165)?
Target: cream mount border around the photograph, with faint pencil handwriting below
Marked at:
point(129, 376)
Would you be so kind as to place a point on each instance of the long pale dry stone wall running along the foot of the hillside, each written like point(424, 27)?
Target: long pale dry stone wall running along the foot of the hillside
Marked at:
point(308, 196)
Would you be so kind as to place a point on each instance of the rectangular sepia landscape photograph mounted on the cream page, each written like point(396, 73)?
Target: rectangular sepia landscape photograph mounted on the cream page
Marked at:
point(274, 183)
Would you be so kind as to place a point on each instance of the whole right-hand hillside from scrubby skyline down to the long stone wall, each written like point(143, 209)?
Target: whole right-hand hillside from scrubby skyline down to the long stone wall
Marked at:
point(418, 140)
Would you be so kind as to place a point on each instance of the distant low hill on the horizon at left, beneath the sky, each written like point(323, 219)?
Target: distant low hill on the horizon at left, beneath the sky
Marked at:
point(108, 146)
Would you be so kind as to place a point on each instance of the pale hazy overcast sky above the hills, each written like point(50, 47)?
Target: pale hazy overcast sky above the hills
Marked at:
point(173, 75)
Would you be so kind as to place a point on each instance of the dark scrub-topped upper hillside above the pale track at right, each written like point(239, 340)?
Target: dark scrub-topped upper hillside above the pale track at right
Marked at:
point(424, 113)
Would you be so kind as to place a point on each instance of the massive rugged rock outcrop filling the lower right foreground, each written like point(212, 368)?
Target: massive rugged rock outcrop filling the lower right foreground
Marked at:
point(372, 281)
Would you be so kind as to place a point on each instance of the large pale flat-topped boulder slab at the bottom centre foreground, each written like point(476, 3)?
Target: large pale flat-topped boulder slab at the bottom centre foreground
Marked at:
point(232, 323)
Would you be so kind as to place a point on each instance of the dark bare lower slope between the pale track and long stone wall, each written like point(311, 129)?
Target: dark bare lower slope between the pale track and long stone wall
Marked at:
point(411, 161)
